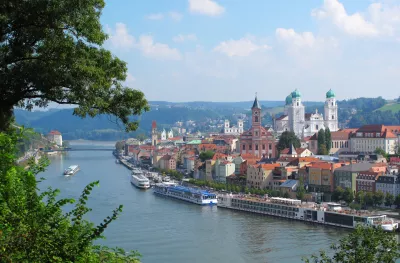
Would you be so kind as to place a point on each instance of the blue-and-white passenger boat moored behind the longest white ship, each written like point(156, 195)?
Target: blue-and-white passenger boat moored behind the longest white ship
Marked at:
point(188, 194)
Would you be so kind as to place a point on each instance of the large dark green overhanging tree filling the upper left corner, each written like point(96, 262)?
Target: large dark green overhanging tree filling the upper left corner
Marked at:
point(52, 52)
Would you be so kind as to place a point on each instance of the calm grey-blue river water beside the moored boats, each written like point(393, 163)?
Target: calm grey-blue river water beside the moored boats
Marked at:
point(168, 230)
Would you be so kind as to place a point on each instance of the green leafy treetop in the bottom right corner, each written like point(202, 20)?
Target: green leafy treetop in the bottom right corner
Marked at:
point(371, 245)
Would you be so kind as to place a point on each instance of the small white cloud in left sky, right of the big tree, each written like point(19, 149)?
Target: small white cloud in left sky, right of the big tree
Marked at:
point(157, 50)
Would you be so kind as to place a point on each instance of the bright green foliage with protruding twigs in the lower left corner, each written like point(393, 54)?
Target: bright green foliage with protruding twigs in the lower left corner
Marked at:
point(33, 226)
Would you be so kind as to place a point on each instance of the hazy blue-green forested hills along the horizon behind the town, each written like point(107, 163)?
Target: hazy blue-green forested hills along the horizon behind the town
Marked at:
point(352, 113)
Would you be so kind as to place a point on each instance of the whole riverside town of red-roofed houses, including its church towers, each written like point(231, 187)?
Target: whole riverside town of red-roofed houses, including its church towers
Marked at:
point(249, 158)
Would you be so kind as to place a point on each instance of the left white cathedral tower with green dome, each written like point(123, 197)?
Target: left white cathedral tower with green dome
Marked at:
point(296, 114)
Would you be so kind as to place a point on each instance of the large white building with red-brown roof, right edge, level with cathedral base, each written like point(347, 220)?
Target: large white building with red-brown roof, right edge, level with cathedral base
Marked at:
point(370, 137)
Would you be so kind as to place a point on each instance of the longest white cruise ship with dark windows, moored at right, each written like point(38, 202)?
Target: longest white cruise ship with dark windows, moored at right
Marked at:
point(327, 213)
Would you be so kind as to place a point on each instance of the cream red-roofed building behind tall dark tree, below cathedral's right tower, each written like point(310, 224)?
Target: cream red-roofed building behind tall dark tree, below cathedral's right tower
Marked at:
point(340, 143)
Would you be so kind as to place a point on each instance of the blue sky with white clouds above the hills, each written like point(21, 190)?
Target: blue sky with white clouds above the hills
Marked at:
point(226, 50)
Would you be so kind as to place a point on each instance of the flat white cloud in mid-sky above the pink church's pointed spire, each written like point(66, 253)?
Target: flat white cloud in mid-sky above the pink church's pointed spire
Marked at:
point(239, 48)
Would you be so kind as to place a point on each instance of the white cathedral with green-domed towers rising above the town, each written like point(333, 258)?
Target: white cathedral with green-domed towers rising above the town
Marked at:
point(304, 124)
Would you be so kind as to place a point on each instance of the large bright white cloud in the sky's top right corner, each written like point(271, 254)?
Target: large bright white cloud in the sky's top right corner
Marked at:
point(379, 20)
